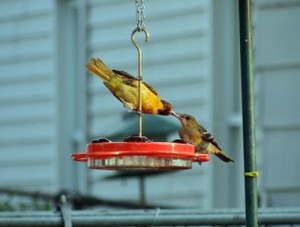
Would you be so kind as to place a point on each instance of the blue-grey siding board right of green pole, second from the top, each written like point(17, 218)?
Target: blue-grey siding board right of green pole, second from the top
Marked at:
point(282, 84)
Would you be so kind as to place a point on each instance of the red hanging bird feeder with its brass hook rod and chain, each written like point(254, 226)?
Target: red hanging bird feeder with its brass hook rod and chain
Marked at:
point(138, 152)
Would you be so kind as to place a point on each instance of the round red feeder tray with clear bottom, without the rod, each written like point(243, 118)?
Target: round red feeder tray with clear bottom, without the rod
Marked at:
point(139, 155)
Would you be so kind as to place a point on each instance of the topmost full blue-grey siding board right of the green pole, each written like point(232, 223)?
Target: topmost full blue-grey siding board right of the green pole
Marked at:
point(275, 47)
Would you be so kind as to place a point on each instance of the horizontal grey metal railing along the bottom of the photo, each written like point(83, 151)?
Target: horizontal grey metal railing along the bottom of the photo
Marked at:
point(153, 217)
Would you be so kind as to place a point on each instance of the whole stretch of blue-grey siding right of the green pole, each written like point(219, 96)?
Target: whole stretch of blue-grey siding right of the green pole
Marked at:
point(277, 67)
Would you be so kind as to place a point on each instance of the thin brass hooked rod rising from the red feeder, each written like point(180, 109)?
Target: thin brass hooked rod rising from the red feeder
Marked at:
point(139, 73)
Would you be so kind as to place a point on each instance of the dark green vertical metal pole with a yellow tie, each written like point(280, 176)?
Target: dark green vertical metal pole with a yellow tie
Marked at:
point(248, 113)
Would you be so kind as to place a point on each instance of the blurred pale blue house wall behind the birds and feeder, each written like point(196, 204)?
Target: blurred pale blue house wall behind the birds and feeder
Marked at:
point(50, 106)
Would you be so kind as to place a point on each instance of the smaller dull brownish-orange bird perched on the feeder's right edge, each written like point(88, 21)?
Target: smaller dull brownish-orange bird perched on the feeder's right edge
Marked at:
point(195, 134)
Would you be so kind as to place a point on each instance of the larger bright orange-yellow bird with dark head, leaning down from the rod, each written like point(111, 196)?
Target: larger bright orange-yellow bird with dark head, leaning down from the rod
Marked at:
point(125, 88)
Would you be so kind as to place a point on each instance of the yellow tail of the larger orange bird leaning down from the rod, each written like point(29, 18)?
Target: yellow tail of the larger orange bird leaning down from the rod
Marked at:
point(98, 67)
